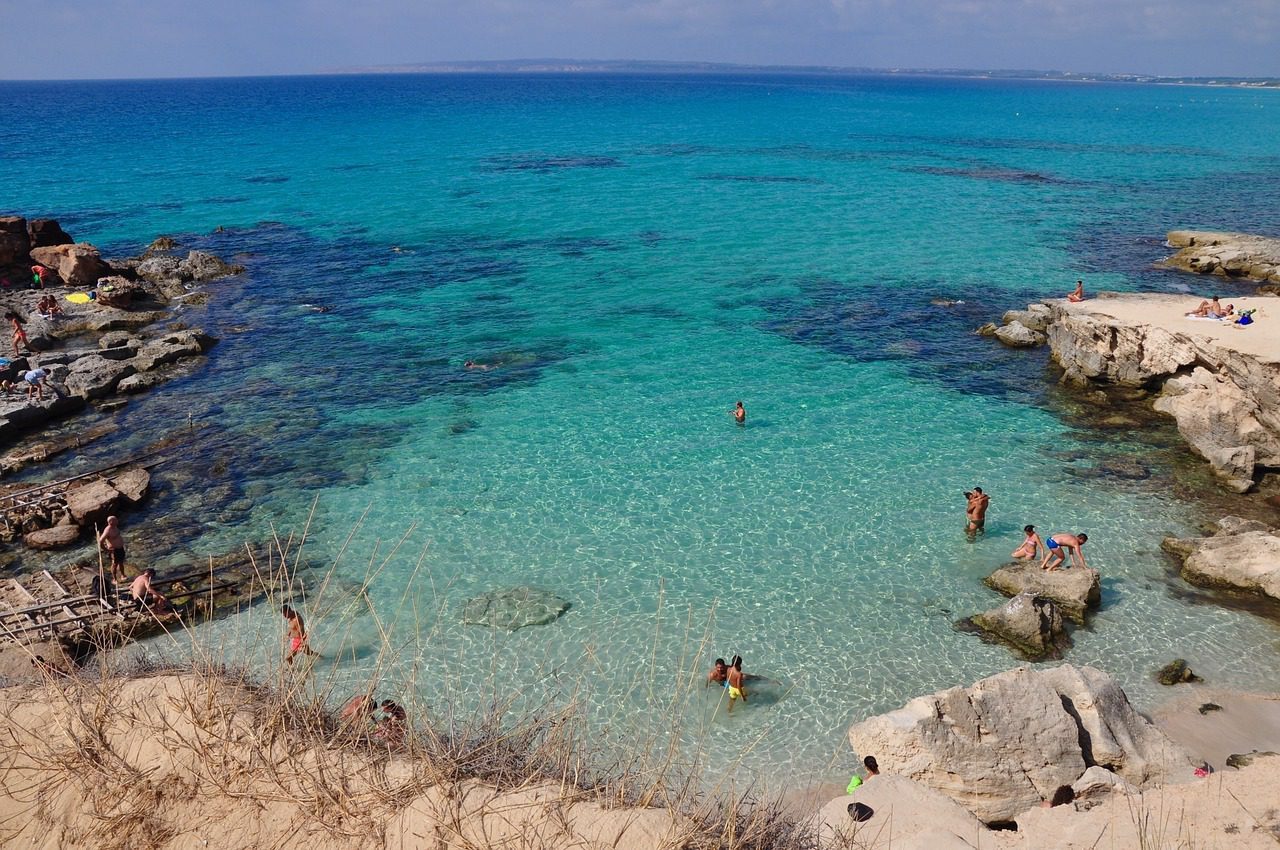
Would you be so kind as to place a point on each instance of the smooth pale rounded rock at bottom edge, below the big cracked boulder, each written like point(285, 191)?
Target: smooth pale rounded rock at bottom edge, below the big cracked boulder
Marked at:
point(921, 819)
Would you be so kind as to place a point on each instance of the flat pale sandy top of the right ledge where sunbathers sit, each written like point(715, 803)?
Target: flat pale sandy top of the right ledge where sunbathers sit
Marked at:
point(1260, 340)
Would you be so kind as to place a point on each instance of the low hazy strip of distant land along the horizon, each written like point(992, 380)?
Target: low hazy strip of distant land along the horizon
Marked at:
point(656, 67)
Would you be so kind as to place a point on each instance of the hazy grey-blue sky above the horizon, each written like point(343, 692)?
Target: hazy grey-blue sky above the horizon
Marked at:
point(115, 39)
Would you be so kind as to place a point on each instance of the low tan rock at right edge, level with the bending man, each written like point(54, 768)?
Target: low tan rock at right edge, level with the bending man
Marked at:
point(1244, 555)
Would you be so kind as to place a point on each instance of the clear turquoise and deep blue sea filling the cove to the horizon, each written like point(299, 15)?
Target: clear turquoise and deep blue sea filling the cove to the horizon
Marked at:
point(634, 255)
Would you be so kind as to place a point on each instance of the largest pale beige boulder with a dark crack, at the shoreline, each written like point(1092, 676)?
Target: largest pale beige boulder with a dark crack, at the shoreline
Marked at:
point(1007, 743)
